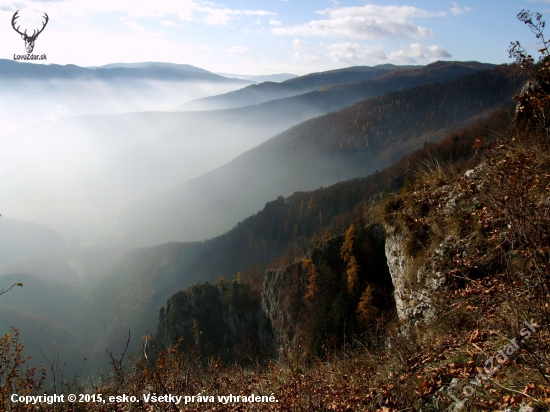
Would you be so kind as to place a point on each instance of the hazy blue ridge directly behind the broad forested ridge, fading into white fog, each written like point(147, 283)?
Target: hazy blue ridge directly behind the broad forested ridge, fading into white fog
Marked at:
point(157, 150)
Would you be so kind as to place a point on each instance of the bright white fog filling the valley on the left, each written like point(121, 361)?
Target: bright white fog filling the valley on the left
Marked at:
point(78, 146)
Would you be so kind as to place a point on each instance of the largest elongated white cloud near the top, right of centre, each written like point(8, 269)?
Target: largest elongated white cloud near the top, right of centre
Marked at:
point(366, 22)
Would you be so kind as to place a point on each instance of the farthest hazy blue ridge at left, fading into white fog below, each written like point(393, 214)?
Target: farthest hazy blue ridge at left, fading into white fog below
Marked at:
point(31, 92)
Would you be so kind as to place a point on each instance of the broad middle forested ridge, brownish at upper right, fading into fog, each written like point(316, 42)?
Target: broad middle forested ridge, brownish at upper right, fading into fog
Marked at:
point(349, 143)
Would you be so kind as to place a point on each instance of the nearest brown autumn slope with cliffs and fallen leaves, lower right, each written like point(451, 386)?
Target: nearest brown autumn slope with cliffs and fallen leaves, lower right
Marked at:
point(465, 234)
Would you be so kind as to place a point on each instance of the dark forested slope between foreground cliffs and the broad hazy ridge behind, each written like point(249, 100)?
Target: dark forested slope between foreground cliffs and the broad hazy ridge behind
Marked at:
point(140, 281)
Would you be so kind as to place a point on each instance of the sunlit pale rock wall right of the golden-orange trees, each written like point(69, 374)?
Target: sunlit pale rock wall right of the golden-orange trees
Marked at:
point(417, 278)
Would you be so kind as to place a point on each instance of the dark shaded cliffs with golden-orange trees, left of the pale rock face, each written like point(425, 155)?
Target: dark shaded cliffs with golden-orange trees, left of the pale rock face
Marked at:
point(327, 296)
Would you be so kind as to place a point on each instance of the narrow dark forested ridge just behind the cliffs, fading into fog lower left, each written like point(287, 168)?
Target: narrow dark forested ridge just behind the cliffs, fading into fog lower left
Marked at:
point(123, 290)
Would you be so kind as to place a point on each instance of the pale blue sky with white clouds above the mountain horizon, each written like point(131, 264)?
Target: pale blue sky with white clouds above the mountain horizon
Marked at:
point(256, 37)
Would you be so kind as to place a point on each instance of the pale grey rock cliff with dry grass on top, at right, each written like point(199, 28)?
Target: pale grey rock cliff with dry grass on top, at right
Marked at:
point(431, 235)
